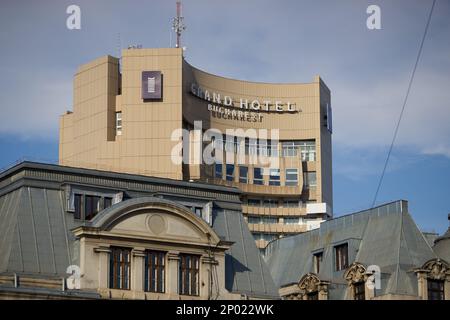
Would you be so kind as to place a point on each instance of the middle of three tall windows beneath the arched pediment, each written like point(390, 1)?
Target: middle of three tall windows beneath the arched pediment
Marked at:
point(155, 271)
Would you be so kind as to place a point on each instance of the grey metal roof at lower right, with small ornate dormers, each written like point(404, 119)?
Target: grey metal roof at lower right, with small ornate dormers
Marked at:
point(385, 236)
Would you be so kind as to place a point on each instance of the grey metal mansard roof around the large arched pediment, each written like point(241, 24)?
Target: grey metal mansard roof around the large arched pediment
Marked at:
point(35, 227)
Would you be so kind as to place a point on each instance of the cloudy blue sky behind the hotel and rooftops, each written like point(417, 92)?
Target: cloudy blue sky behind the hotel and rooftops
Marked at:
point(271, 41)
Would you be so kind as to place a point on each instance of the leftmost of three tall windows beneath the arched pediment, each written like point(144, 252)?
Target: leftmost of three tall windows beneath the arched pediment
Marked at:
point(119, 268)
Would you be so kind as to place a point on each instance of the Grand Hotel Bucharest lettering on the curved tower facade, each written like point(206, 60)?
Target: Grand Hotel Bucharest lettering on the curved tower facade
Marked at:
point(227, 107)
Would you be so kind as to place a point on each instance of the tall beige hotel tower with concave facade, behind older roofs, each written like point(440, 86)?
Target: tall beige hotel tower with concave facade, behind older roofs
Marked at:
point(127, 113)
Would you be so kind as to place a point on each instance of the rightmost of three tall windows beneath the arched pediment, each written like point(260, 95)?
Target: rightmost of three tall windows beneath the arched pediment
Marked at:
point(188, 275)
